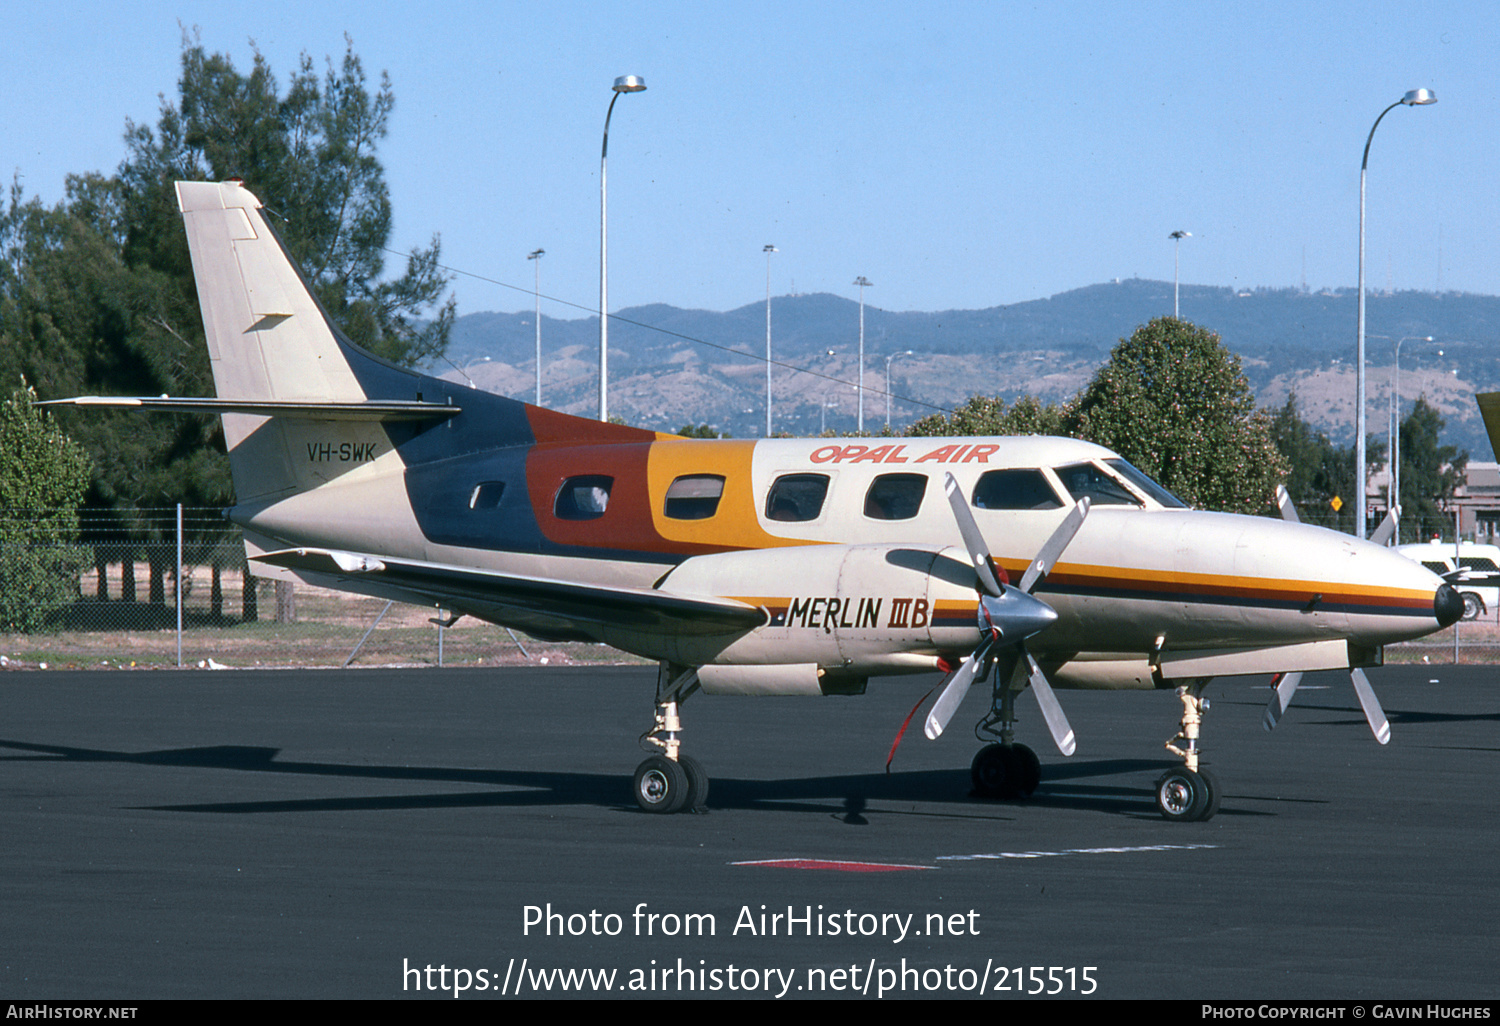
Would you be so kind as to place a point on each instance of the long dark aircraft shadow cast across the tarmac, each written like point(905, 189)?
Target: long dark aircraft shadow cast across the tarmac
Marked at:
point(931, 793)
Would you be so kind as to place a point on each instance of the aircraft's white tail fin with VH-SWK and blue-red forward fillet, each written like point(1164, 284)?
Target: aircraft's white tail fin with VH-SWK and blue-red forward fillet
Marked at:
point(304, 406)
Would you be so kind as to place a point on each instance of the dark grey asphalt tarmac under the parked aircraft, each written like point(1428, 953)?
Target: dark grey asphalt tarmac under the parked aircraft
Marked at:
point(338, 833)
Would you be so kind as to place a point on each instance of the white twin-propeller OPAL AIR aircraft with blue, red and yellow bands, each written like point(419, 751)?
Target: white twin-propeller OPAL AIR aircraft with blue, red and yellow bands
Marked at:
point(767, 568)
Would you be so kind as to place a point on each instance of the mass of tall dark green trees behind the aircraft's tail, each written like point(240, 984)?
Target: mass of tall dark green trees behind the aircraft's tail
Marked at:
point(97, 295)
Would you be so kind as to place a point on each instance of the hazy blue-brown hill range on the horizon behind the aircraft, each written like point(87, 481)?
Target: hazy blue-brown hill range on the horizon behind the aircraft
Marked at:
point(673, 367)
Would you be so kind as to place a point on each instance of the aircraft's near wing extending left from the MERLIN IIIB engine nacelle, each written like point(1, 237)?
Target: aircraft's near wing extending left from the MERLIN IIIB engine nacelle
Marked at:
point(541, 605)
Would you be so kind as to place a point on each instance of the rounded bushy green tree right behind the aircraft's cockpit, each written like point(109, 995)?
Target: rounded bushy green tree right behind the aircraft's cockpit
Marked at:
point(1172, 400)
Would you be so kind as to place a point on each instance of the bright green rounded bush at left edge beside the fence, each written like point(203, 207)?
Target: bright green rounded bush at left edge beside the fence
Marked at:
point(43, 481)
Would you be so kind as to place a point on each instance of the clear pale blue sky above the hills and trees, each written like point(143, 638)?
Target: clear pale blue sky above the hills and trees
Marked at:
point(958, 155)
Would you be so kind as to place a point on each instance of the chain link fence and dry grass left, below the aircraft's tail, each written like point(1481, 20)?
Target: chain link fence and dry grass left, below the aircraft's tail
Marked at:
point(125, 604)
